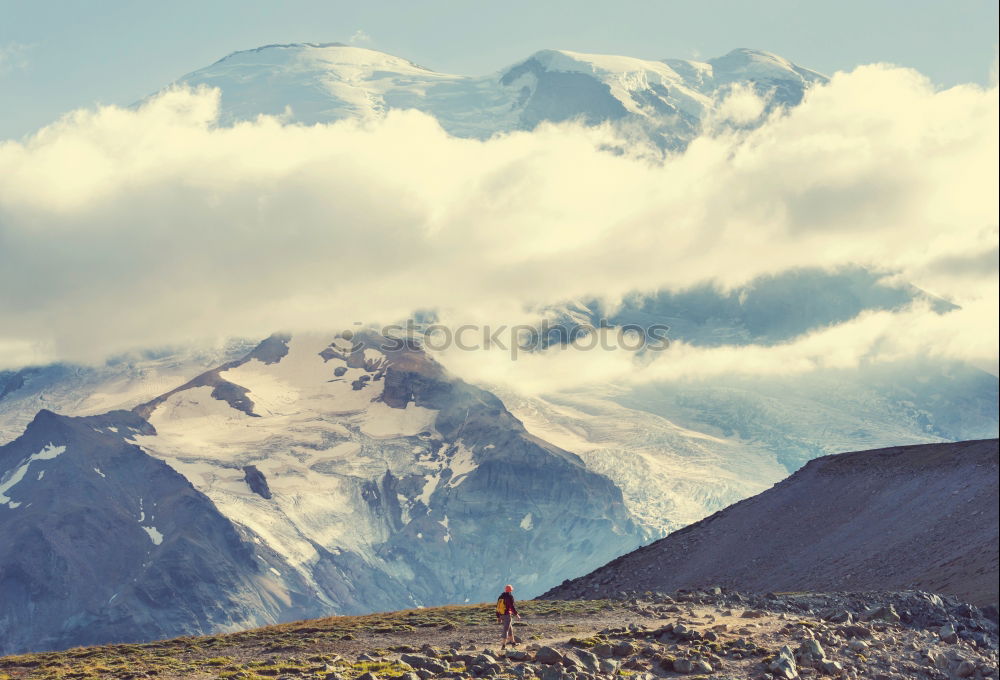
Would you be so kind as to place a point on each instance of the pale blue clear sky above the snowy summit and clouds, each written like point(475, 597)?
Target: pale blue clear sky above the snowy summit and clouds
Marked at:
point(57, 56)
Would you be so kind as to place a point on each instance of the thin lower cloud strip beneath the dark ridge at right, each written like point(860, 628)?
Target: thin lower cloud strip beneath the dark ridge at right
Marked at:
point(871, 338)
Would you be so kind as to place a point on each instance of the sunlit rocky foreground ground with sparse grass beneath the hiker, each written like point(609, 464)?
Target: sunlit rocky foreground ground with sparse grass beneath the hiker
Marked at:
point(717, 634)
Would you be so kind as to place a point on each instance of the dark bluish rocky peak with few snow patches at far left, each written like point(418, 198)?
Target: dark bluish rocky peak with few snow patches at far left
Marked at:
point(100, 542)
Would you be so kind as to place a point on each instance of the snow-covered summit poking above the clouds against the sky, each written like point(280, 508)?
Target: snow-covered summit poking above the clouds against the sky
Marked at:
point(668, 100)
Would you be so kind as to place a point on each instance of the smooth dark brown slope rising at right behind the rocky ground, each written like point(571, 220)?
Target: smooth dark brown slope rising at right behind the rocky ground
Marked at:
point(907, 517)
